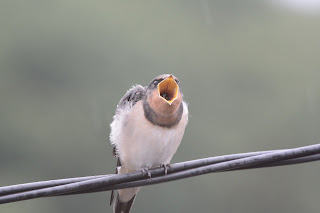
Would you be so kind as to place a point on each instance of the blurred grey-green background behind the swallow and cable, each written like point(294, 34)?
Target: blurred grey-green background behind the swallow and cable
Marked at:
point(249, 69)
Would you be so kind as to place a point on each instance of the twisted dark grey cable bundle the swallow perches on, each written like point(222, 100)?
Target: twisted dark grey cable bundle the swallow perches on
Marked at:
point(180, 170)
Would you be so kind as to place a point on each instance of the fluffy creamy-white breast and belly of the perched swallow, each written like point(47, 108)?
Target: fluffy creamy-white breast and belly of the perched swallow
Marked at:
point(140, 143)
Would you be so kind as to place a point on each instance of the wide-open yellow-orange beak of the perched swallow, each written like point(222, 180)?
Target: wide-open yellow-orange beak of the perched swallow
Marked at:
point(168, 89)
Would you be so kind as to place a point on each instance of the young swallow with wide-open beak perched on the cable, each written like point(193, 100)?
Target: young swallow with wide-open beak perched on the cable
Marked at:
point(146, 131)
